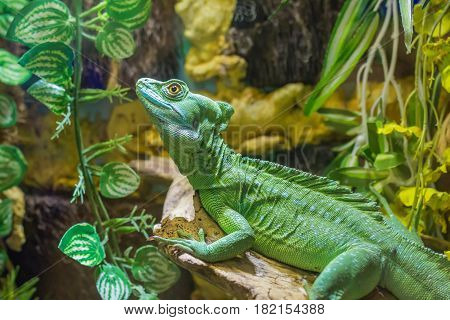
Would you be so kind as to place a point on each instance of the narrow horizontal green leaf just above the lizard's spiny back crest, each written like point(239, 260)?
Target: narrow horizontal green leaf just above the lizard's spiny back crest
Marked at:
point(357, 177)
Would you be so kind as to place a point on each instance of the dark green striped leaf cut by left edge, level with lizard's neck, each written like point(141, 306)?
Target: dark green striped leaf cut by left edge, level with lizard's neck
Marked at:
point(12, 167)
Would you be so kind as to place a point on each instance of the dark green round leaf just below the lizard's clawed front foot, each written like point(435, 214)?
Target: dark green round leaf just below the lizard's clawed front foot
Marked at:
point(153, 269)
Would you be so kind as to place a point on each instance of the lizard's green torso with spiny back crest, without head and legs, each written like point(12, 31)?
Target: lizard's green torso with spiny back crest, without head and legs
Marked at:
point(307, 221)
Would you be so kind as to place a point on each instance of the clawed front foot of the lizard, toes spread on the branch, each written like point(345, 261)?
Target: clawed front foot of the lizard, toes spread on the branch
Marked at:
point(187, 243)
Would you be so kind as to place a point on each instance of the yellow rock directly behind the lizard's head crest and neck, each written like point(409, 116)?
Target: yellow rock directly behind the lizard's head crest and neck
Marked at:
point(266, 121)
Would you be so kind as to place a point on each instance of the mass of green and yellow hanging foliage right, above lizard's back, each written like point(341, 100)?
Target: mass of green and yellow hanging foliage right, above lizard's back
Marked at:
point(397, 151)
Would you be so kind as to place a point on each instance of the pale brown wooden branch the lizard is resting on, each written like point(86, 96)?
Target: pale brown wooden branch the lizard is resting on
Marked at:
point(250, 276)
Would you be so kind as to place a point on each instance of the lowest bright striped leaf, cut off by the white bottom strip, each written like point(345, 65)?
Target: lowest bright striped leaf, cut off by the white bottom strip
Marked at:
point(113, 283)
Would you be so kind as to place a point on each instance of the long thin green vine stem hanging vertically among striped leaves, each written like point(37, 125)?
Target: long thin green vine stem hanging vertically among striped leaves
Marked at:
point(90, 189)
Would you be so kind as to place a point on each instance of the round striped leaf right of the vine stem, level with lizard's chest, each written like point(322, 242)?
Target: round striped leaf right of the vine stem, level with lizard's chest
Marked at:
point(118, 180)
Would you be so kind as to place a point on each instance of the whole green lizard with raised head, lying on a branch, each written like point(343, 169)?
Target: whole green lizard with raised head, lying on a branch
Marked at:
point(294, 217)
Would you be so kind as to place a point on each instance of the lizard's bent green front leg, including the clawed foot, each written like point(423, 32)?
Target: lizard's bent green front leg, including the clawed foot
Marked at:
point(239, 238)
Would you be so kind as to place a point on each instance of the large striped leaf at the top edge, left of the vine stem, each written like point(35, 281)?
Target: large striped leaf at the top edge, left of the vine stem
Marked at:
point(42, 21)
